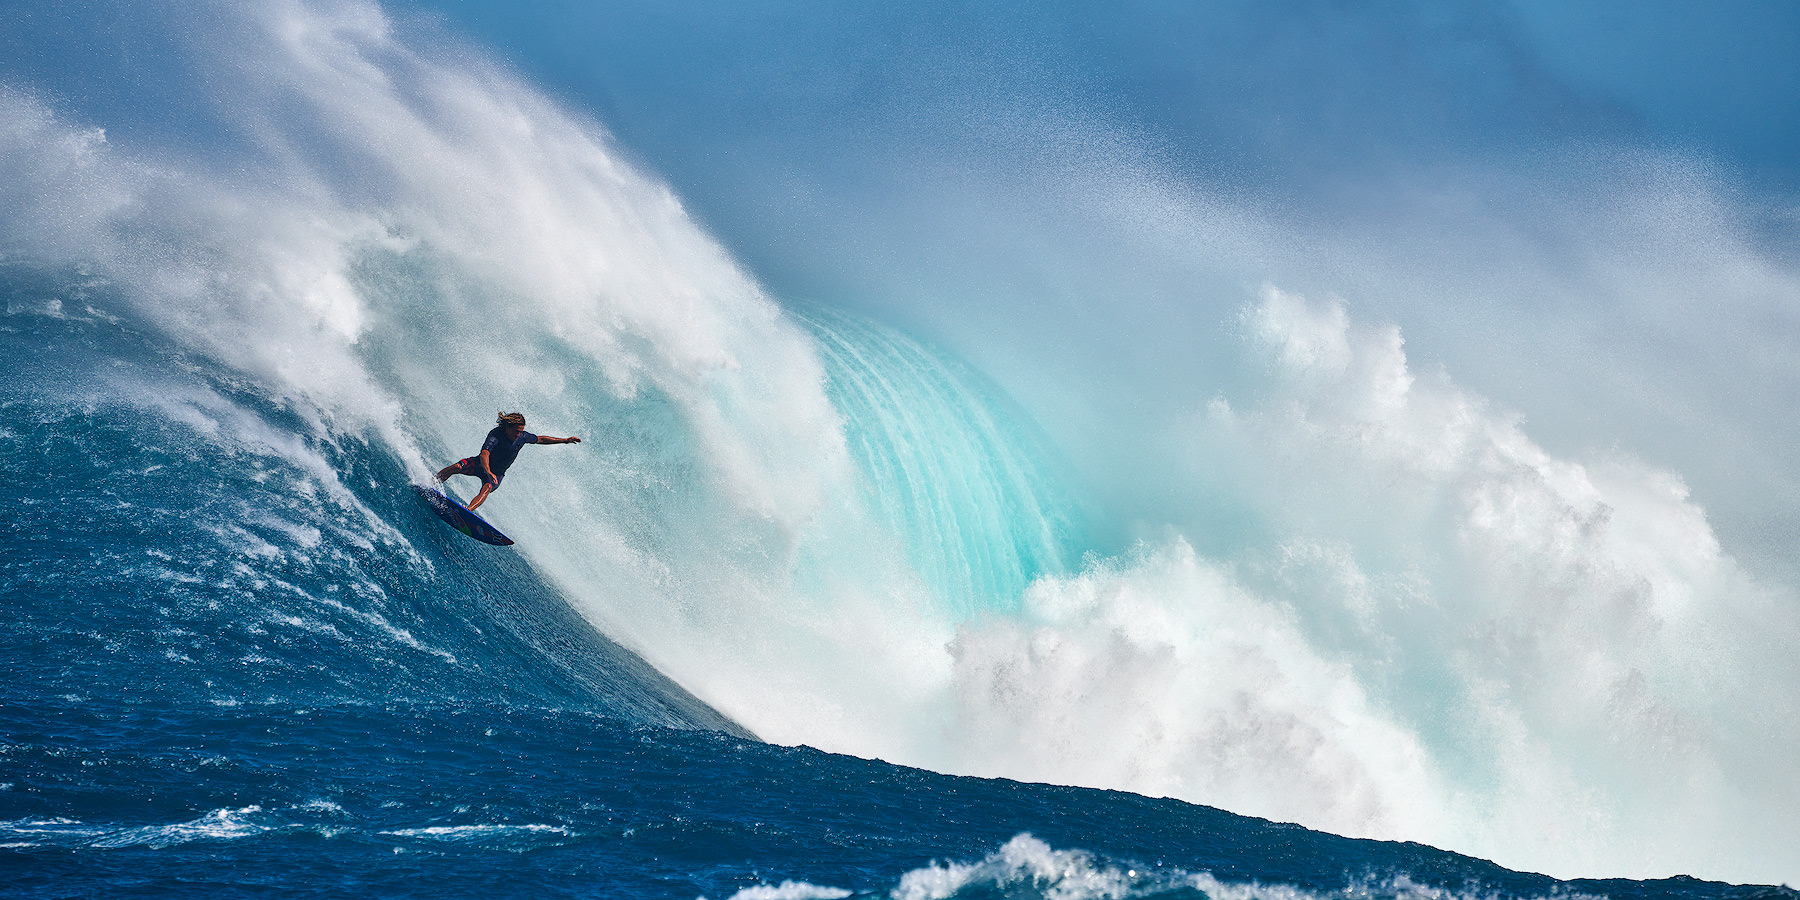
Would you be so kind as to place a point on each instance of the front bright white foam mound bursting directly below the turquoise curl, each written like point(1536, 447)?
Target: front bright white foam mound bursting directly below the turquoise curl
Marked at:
point(1200, 688)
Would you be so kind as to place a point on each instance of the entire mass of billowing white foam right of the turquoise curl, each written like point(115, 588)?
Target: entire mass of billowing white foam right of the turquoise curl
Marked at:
point(1462, 638)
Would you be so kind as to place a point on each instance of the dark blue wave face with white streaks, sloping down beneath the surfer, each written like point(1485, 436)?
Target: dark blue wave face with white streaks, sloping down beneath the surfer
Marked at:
point(181, 534)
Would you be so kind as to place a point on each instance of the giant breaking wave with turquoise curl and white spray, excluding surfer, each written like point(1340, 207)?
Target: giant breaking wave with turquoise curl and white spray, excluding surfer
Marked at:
point(1421, 624)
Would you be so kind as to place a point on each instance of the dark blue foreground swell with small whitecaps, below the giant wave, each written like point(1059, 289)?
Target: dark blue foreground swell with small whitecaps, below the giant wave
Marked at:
point(481, 800)
